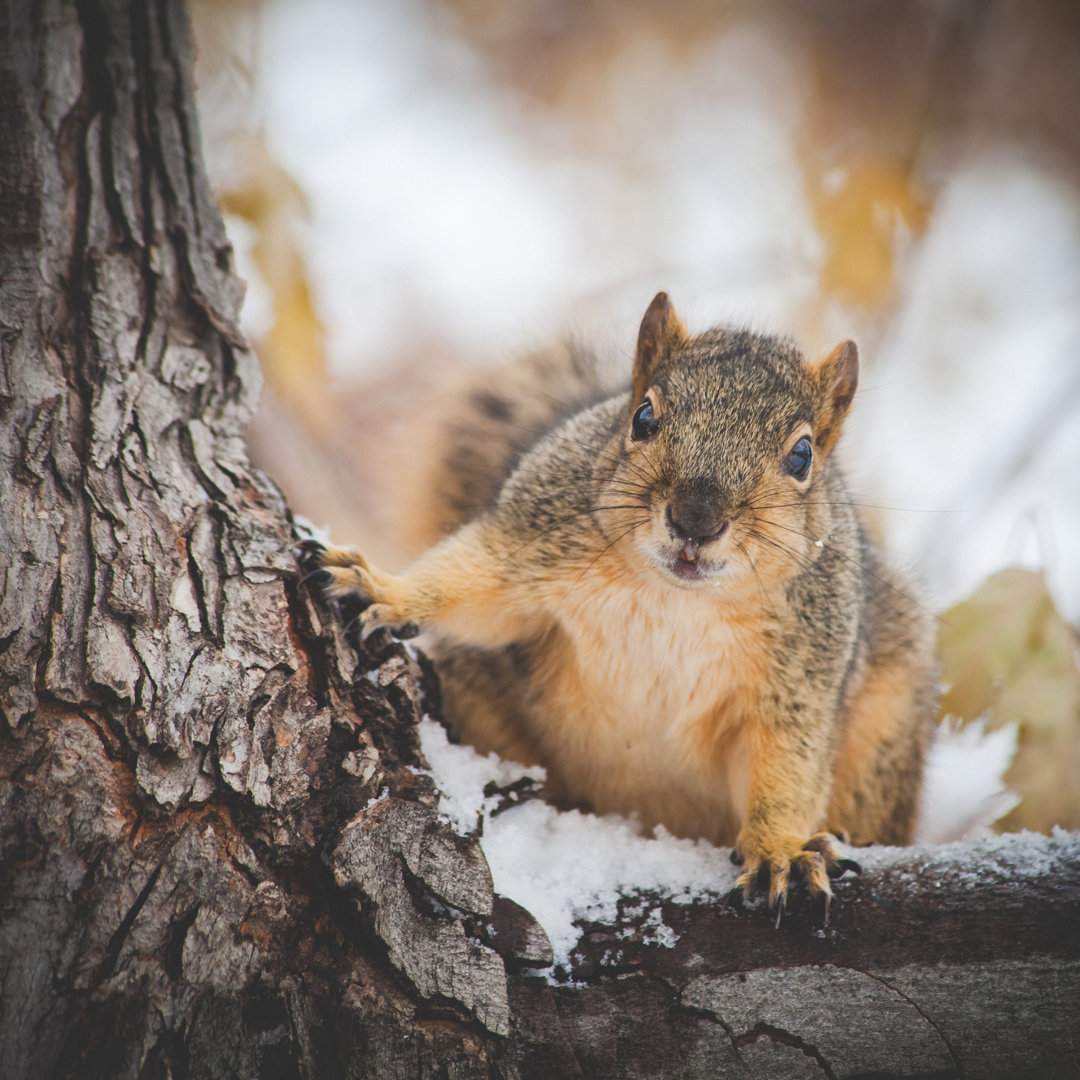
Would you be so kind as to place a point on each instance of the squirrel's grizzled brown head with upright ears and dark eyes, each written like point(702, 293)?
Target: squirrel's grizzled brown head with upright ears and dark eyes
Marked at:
point(725, 447)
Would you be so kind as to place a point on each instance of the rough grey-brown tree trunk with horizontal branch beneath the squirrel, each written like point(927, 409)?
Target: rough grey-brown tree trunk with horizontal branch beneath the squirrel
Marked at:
point(220, 854)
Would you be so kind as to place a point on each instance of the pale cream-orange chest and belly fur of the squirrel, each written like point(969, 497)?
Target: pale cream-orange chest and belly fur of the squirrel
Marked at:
point(646, 704)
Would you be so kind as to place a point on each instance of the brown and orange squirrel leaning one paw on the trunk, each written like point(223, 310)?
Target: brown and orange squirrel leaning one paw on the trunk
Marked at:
point(664, 595)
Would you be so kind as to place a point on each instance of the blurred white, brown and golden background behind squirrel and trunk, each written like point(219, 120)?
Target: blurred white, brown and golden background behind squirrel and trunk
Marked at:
point(418, 186)
